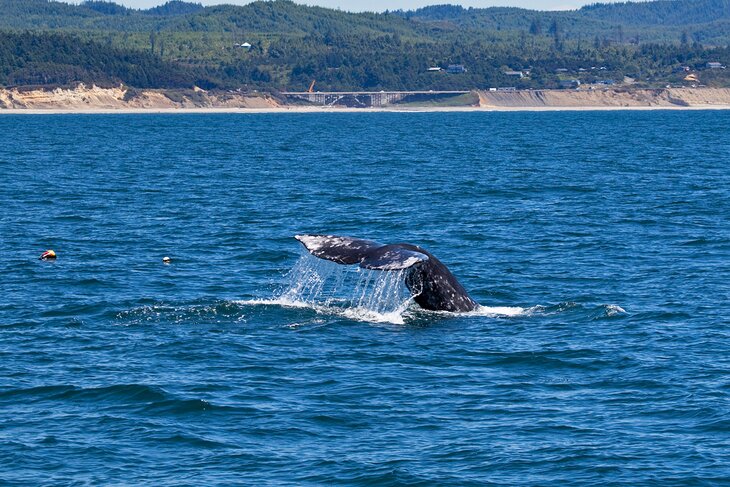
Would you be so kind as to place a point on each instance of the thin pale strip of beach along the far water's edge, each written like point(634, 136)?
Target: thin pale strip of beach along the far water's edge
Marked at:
point(318, 110)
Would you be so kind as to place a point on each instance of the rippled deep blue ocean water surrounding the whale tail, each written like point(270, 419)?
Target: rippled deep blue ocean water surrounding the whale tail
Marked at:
point(598, 244)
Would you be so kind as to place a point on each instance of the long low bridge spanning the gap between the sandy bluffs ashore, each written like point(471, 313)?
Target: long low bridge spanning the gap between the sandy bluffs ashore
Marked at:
point(363, 99)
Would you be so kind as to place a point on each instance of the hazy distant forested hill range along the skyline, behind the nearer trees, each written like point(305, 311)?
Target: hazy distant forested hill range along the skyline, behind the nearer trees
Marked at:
point(706, 21)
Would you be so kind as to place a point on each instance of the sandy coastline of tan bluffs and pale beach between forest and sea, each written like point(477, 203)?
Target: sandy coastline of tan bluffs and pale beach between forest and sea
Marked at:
point(120, 100)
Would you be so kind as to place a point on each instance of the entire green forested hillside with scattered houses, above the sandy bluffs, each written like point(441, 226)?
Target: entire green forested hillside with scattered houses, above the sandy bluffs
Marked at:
point(281, 45)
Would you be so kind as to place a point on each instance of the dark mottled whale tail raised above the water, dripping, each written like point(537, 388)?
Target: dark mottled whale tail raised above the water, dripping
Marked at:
point(430, 282)
